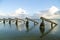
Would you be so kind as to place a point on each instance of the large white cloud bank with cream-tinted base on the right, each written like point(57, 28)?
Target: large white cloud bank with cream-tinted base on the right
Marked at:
point(50, 14)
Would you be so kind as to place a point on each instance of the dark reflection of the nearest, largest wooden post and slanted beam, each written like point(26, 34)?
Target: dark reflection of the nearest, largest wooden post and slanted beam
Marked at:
point(42, 29)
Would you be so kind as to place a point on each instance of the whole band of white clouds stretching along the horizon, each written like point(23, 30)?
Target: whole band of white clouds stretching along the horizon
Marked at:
point(22, 13)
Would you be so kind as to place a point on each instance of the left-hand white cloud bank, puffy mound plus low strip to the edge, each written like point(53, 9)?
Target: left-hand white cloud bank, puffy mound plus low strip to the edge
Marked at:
point(20, 12)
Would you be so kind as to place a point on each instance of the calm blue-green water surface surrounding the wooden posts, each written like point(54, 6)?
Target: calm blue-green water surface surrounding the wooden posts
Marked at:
point(33, 32)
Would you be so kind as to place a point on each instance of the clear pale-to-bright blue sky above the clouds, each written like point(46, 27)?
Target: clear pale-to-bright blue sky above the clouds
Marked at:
point(32, 6)
